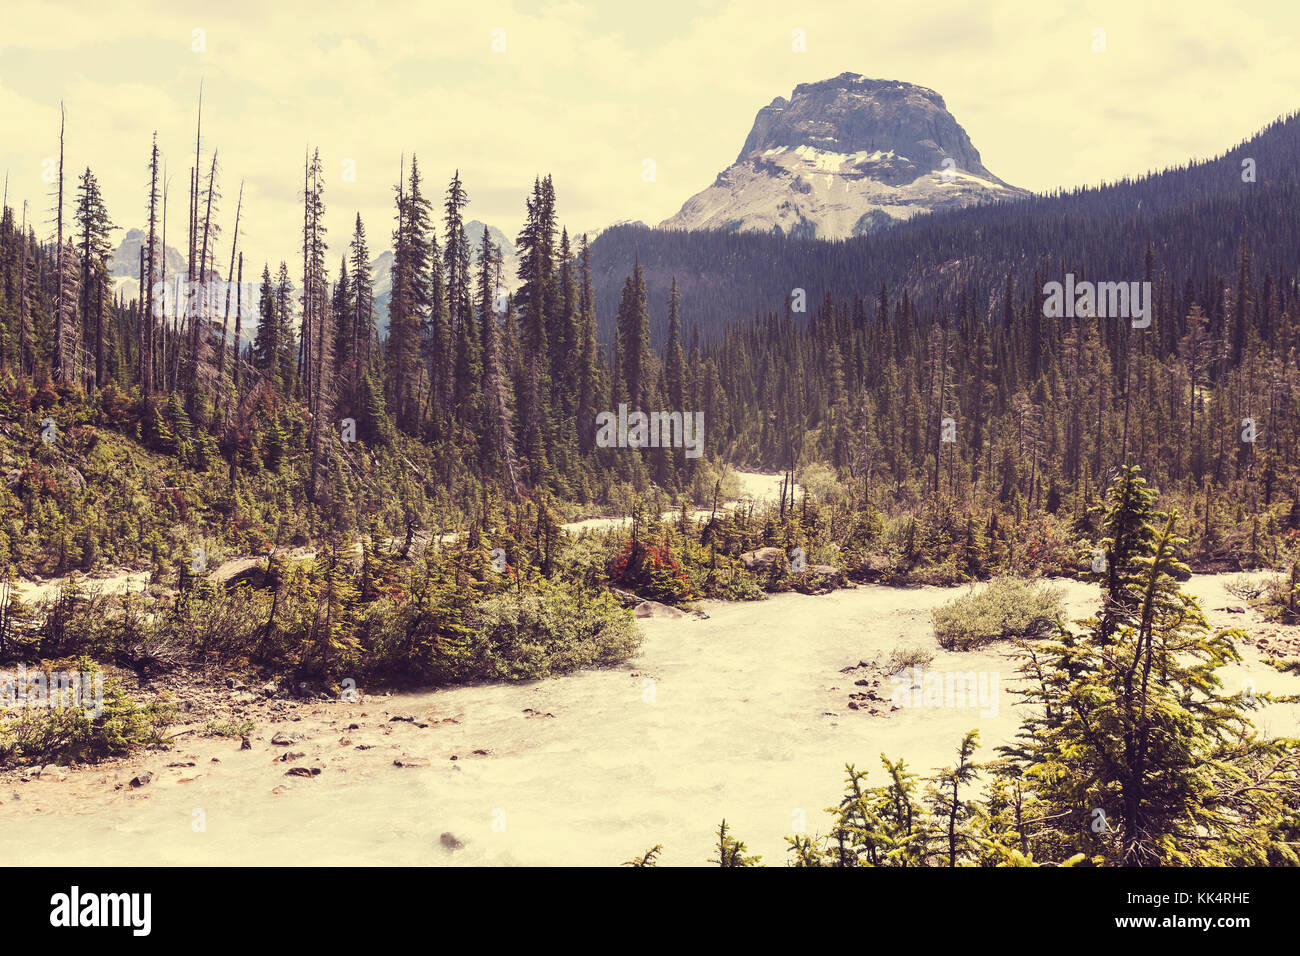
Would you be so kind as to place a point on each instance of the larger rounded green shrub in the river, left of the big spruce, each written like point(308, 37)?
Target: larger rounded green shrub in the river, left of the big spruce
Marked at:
point(1008, 608)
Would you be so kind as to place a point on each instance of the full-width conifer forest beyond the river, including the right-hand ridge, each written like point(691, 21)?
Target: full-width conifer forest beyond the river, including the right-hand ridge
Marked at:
point(946, 395)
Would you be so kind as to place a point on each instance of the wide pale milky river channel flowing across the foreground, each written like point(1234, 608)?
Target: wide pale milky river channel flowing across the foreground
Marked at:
point(743, 716)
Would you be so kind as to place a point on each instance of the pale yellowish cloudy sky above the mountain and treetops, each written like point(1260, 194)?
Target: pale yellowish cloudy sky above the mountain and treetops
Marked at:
point(590, 90)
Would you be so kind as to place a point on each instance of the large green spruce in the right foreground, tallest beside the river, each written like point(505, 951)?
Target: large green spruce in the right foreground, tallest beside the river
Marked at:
point(1134, 755)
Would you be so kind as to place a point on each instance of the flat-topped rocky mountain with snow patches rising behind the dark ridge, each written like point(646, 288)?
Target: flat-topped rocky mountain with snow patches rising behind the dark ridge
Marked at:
point(842, 158)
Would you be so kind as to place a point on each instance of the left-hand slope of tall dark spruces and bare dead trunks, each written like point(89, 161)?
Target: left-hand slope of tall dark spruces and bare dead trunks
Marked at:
point(281, 393)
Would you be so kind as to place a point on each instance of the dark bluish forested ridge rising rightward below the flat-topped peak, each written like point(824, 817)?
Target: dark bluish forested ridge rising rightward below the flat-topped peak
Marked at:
point(1191, 219)
